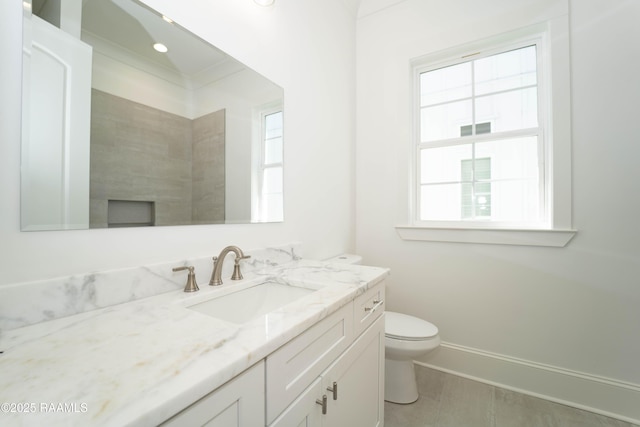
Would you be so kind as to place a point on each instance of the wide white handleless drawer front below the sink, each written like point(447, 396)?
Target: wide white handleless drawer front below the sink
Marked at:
point(294, 366)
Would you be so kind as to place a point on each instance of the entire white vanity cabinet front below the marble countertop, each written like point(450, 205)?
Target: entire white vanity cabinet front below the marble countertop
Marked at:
point(331, 375)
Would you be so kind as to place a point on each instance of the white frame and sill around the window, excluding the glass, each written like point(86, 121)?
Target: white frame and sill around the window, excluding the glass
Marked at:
point(554, 72)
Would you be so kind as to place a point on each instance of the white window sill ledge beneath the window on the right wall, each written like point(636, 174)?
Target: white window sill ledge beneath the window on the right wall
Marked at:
point(494, 236)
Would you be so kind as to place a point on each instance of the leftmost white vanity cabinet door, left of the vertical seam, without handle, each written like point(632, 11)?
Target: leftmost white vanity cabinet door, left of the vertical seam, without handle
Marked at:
point(238, 403)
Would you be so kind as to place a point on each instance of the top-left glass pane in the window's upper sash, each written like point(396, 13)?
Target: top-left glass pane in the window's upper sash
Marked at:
point(445, 84)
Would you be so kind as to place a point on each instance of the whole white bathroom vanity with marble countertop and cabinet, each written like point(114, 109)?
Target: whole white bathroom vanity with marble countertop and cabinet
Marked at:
point(317, 357)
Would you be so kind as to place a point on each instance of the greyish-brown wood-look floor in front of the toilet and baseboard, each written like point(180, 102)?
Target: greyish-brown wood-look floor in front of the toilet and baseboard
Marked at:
point(450, 401)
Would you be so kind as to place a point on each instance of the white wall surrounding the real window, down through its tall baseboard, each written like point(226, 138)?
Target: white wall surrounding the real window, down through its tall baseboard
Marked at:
point(557, 322)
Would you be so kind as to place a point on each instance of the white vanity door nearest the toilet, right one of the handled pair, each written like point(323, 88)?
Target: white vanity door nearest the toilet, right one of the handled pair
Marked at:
point(358, 375)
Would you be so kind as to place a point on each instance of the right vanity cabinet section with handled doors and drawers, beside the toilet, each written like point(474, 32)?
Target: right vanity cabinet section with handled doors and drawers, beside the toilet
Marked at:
point(300, 375)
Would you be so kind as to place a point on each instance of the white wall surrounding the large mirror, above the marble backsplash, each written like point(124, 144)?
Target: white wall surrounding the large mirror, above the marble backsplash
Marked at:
point(304, 46)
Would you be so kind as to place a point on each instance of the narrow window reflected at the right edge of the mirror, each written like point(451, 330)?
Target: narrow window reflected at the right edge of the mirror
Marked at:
point(270, 170)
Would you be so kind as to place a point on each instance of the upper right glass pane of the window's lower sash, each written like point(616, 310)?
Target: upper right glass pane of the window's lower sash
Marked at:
point(511, 158)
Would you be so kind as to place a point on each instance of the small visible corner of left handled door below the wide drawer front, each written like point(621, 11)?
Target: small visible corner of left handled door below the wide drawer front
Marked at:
point(305, 410)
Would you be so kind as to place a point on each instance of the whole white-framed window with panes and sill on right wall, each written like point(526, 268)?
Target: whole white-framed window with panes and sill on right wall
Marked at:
point(491, 157)
